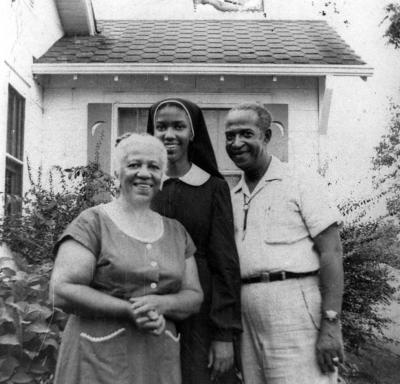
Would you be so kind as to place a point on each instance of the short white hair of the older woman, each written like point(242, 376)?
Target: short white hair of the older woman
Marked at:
point(127, 142)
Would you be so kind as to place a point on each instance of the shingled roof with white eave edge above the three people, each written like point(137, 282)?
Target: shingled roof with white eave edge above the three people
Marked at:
point(240, 47)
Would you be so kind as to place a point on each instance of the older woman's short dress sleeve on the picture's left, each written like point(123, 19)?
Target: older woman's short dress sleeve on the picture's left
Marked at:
point(85, 229)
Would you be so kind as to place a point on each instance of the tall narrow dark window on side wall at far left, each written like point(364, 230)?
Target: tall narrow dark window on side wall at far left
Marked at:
point(14, 151)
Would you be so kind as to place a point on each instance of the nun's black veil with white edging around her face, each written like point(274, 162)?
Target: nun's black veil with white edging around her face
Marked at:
point(200, 149)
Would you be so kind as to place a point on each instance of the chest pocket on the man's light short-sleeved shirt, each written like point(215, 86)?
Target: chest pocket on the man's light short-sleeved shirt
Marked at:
point(283, 224)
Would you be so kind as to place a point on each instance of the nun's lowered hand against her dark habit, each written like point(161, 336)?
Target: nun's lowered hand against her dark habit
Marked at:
point(220, 358)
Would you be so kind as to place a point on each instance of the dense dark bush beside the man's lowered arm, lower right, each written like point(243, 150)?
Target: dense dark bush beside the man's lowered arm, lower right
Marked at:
point(369, 246)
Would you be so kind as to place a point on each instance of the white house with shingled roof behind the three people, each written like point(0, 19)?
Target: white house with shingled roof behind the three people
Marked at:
point(98, 80)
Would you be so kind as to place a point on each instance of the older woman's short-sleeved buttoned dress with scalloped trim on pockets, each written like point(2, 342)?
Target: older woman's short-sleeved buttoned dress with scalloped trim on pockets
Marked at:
point(101, 350)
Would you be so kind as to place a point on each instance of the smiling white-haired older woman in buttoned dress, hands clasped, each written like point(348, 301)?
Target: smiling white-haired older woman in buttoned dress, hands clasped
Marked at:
point(124, 273)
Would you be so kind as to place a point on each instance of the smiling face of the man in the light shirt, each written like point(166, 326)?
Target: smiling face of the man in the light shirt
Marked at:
point(246, 143)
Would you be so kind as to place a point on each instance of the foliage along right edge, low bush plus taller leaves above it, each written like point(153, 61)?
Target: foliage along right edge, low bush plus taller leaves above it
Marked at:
point(370, 245)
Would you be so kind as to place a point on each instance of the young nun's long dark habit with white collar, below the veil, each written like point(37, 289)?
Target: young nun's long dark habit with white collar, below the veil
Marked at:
point(202, 204)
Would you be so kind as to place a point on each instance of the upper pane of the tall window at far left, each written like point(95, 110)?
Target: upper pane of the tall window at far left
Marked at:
point(15, 123)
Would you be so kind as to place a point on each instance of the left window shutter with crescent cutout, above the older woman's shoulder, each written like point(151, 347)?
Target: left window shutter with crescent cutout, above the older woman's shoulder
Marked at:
point(99, 135)
